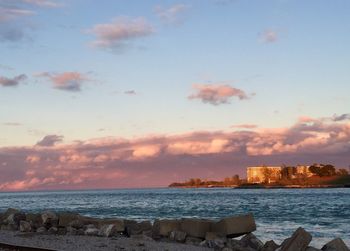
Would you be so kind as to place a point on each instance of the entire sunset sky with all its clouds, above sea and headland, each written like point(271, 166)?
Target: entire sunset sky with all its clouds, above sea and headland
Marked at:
point(128, 93)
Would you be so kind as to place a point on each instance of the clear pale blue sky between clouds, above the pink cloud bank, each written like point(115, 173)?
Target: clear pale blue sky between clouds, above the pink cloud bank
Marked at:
point(303, 72)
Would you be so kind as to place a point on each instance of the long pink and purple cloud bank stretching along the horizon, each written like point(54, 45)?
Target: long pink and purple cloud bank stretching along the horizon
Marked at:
point(158, 160)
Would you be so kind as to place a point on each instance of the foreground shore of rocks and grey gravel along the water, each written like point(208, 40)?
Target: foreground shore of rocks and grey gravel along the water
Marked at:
point(71, 231)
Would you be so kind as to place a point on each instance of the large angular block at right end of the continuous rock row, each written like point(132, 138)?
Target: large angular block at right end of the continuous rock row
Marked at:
point(235, 226)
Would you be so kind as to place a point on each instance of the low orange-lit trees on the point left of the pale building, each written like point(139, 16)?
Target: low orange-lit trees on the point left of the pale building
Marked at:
point(196, 182)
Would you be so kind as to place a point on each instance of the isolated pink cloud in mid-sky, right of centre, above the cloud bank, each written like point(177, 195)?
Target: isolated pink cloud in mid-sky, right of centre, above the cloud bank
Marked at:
point(216, 94)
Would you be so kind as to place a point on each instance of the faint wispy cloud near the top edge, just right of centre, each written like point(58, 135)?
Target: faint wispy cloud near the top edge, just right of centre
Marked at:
point(172, 14)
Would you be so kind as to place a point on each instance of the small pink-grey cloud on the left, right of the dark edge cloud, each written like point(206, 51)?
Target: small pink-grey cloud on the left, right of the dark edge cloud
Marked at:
point(66, 81)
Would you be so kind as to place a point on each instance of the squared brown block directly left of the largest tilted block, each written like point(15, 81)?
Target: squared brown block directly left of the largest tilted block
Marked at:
point(196, 227)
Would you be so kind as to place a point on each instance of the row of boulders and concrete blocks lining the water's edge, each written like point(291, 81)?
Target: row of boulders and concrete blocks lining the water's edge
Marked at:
point(217, 235)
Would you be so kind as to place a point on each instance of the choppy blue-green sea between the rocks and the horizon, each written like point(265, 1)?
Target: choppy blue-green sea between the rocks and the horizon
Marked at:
point(278, 212)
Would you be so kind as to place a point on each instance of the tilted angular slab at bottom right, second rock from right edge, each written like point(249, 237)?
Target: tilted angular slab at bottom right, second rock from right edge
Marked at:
point(299, 241)
